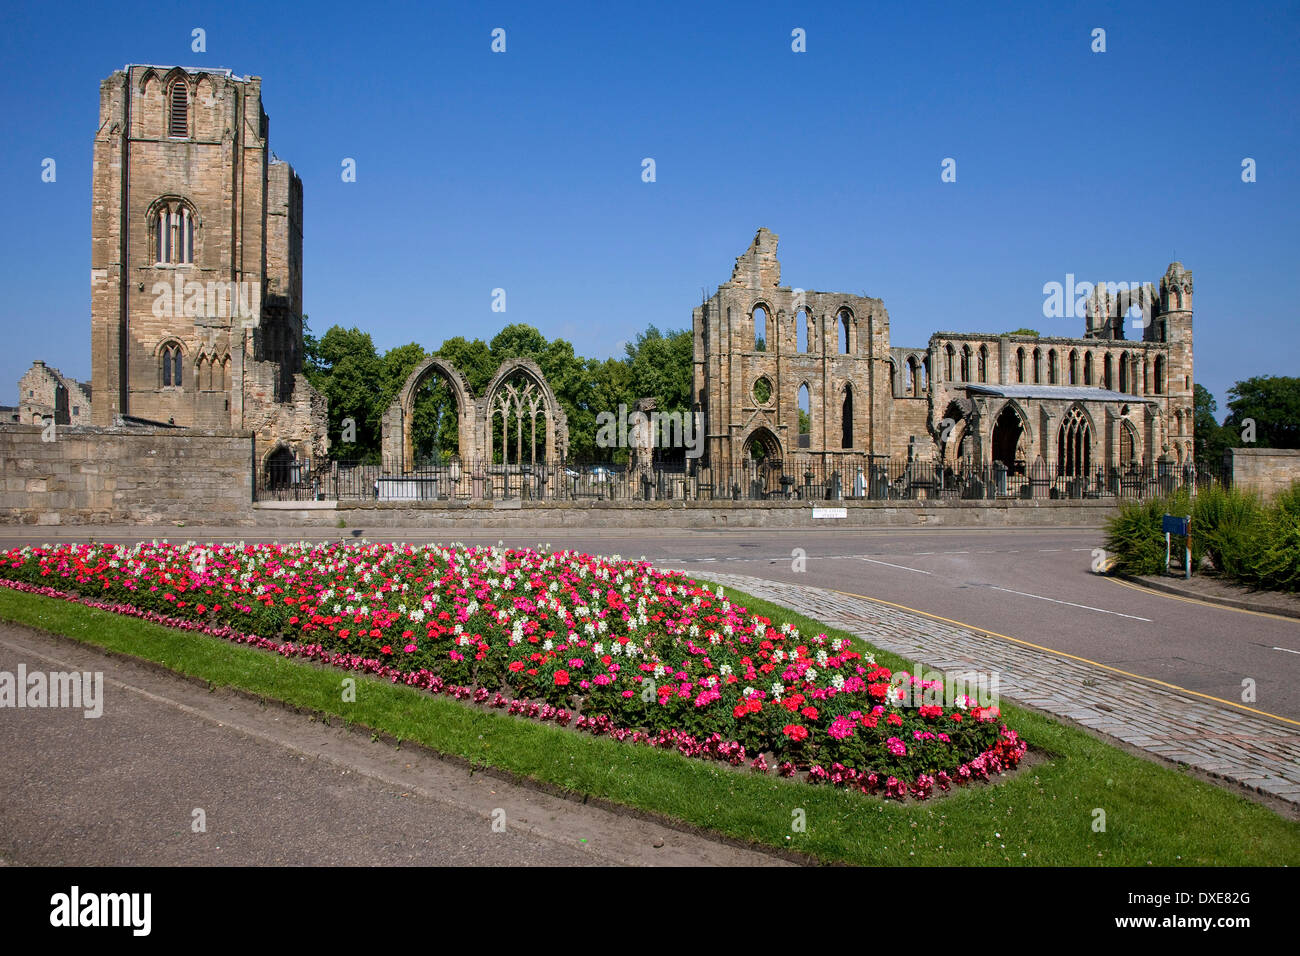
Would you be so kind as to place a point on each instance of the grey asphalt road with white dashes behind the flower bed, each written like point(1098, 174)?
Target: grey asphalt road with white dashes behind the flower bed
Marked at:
point(1032, 585)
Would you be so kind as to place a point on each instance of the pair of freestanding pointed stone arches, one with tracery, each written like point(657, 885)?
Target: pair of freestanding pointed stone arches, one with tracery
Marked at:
point(517, 395)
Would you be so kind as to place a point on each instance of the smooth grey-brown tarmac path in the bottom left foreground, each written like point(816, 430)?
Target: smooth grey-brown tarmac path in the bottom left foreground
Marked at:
point(275, 789)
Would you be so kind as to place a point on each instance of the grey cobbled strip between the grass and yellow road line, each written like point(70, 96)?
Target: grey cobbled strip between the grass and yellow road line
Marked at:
point(1255, 751)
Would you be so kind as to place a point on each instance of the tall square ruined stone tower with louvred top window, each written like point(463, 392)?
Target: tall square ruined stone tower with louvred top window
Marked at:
point(197, 285)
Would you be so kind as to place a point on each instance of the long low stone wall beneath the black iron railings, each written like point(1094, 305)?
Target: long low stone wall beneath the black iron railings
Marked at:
point(739, 514)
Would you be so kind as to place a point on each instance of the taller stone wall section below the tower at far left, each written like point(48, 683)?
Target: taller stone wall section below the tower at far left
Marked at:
point(84, 475)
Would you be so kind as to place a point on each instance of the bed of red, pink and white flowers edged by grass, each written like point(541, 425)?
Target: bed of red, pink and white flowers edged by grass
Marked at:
point(613, 647)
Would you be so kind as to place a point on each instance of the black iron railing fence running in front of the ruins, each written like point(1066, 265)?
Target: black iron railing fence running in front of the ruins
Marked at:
point(814, 479)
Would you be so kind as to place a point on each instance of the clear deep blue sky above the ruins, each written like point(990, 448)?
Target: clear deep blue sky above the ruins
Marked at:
point(523, 171)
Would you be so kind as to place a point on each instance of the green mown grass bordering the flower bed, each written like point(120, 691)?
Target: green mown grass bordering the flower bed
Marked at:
point(1042, 816)
